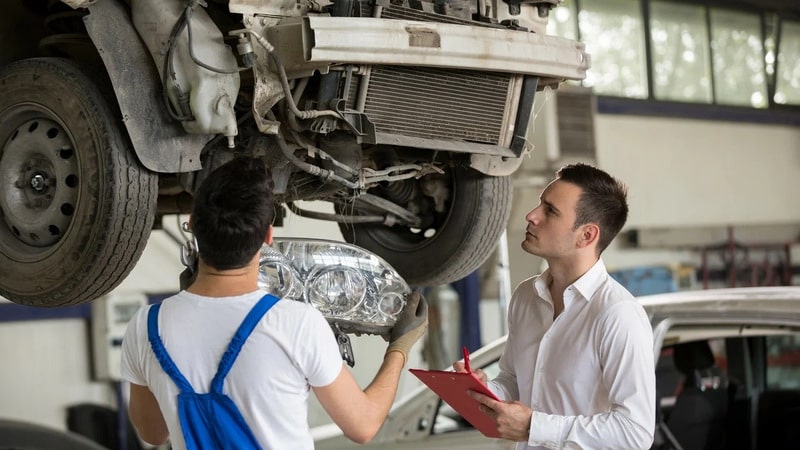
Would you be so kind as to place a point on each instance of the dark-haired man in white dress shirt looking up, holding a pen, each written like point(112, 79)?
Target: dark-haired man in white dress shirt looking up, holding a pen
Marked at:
point(578, 369)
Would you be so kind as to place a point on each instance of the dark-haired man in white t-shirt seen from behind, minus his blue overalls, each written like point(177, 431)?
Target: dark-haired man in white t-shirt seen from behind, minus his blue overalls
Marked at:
point(292, 348)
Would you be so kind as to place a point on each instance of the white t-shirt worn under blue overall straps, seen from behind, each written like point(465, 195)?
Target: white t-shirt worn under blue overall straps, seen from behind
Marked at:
point(291, 349)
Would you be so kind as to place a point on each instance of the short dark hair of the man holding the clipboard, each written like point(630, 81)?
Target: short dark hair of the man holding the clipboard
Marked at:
point(602, 202)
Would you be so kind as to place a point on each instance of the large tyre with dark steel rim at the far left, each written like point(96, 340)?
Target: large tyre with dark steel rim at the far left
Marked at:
point(76, 206)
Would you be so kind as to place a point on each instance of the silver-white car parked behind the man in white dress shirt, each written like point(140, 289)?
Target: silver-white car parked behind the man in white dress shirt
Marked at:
point(740, 349)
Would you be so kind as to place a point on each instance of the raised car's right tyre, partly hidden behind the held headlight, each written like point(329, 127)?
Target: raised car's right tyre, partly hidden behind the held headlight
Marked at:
point(456, 237)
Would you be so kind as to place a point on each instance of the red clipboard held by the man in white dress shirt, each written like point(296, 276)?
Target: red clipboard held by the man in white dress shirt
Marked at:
point(452, 387)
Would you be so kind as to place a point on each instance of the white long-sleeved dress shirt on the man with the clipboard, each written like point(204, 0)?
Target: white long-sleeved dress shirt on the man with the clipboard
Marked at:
point(588, 376)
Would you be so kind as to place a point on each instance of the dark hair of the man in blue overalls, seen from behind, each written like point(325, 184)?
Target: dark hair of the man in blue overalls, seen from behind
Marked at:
point(232, 211)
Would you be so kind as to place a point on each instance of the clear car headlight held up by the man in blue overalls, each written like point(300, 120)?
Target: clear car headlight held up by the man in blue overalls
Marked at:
point(351, 287)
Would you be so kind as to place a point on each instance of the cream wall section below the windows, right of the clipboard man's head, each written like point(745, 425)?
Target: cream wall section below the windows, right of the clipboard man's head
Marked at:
point(694, 173)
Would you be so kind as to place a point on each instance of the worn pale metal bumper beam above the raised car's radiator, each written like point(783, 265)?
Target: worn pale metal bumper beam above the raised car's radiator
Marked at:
point(315, 43)
